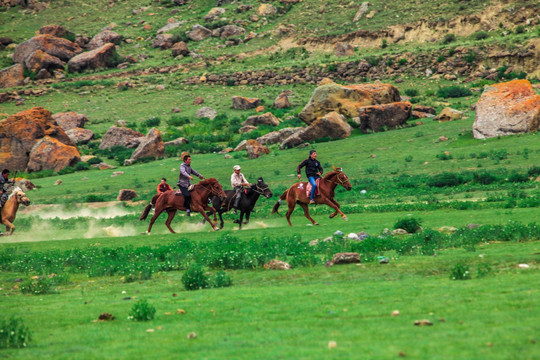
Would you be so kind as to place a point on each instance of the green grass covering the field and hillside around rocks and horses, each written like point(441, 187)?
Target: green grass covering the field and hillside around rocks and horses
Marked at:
point(72, 258)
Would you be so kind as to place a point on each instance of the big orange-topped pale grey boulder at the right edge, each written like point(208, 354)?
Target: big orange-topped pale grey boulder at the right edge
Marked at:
point(507, 108)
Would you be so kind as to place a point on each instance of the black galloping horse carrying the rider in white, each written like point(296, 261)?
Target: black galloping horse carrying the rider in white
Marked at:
point(246, 204)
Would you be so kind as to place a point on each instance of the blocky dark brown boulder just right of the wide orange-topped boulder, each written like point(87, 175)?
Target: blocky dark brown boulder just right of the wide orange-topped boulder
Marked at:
point(391, 116)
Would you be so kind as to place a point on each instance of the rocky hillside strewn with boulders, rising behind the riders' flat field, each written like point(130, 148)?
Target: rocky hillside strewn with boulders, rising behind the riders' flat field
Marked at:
point(64, 55)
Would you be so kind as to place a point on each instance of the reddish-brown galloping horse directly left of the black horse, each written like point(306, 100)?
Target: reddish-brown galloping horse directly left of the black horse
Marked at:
point(170, 202)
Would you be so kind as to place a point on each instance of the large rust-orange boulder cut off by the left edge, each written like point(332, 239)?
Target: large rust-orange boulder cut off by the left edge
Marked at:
point(20, 132)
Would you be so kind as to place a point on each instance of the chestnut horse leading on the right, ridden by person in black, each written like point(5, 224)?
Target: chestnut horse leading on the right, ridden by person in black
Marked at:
point(296, 194)
